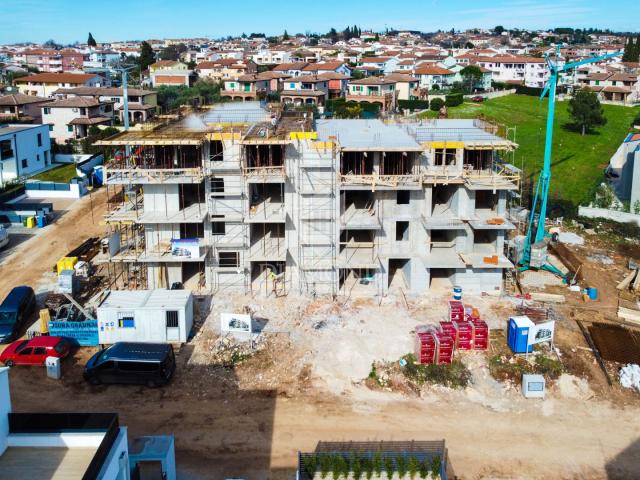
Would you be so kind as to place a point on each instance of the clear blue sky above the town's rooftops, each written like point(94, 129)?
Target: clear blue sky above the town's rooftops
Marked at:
point(69, 20)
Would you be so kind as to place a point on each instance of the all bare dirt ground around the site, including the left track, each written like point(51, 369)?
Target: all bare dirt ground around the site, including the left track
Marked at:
point(305, 383)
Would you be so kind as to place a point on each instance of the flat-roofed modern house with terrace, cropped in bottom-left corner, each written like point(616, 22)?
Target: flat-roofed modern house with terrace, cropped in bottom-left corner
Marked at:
point(75, 445)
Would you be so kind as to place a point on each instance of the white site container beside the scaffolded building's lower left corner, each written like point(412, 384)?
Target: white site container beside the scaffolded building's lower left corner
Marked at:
point(156, 316)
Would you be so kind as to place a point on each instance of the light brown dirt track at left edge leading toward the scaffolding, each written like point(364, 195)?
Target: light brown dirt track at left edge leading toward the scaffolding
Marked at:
point(44, 249)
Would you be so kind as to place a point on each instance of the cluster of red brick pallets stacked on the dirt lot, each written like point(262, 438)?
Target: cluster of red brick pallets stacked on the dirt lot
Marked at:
point(464, 330)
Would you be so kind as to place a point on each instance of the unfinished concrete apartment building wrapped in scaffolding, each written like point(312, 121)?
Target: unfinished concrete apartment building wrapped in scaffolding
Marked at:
point(241, 198)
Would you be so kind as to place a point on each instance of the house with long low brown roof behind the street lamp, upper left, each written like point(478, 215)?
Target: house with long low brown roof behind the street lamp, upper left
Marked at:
point(142, 106)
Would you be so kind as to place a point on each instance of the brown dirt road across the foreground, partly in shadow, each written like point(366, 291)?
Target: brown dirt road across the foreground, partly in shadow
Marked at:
point(225, 429)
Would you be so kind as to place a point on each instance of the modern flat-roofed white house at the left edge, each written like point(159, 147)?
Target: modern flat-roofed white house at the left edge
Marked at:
point(25, 150)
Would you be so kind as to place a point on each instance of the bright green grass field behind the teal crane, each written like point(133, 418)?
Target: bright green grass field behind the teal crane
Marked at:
point(577, 161)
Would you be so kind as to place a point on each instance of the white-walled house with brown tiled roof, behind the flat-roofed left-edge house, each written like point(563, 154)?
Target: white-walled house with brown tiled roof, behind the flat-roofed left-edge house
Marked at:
point(71, 118)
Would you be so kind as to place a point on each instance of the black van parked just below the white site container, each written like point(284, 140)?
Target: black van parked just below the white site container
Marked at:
point(150, 364)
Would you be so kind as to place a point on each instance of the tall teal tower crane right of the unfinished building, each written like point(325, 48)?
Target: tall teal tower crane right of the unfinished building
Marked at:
point(534, 251)
